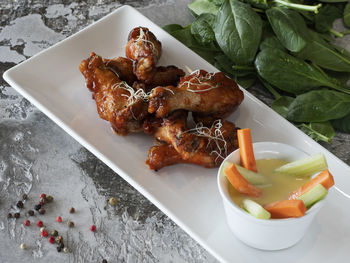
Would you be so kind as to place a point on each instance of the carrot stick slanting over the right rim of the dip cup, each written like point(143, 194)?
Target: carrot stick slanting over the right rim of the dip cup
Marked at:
point(325, 178)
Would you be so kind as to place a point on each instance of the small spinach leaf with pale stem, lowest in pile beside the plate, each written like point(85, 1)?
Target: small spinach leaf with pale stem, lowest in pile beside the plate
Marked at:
point(319, 131)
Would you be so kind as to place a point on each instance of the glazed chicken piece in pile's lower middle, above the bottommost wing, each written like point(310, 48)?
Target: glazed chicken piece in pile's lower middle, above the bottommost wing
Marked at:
point(172, 130)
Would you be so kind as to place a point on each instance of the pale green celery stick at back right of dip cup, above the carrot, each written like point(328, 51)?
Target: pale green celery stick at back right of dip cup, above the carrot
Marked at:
point(305, 167)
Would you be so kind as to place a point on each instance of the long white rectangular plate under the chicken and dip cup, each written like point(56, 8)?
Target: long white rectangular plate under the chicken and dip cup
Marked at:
point(186, 193)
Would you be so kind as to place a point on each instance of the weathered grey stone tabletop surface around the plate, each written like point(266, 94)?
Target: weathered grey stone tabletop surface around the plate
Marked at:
point(37, 156)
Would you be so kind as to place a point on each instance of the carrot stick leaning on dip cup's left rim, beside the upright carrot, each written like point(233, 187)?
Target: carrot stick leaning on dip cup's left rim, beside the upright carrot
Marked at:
point(240, 183)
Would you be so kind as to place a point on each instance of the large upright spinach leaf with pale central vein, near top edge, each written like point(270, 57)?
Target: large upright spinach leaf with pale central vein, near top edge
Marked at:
point(238, 31)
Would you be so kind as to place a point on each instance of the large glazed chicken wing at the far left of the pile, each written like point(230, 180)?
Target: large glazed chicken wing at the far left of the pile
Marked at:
point(111, 98)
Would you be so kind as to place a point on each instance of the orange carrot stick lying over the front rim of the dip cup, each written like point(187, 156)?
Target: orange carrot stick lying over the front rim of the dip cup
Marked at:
point(286, 208)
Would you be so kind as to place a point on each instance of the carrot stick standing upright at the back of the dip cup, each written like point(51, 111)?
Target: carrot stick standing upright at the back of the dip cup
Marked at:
point(246, 149)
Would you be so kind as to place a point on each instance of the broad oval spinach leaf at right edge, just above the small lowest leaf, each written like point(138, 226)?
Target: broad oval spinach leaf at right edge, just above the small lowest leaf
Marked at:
point(319, 106)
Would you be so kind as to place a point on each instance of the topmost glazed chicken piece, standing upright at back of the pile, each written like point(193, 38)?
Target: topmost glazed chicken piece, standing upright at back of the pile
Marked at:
point(144, 48)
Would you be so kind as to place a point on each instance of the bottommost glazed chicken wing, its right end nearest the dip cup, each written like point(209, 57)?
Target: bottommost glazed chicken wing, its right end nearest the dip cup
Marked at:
point(207, 155)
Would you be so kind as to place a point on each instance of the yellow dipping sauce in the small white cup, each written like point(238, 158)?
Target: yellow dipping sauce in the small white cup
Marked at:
point(279, 189)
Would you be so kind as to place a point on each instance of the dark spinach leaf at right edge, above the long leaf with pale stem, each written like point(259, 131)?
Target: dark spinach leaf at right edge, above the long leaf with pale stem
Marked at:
point(325, 55)
